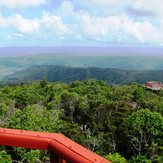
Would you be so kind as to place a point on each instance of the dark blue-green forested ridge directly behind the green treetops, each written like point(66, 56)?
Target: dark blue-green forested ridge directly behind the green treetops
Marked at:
point(69, 74)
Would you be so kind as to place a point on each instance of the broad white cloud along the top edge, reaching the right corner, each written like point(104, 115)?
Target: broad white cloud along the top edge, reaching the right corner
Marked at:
point(106, 7)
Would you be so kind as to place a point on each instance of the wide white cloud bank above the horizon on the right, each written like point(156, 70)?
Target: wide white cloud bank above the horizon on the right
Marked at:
point(123, 27)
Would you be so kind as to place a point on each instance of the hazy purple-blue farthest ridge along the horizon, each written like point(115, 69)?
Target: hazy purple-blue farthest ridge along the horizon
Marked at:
point(75, 50)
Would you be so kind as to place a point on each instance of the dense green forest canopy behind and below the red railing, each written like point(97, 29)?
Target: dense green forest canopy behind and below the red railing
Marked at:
point(121, 123)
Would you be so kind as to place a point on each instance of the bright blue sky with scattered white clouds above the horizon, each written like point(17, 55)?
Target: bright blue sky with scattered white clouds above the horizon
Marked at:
point(81, 22)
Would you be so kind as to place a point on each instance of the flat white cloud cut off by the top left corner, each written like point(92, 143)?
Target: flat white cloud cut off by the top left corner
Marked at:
point(20, 3)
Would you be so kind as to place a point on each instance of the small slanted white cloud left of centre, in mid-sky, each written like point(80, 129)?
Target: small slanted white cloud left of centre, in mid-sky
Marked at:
point(54, 23)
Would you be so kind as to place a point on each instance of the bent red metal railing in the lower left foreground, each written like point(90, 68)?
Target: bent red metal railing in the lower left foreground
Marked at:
point(61, 148)
